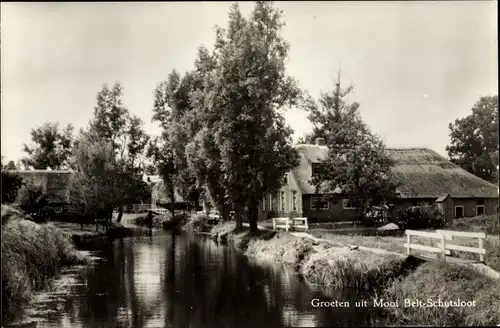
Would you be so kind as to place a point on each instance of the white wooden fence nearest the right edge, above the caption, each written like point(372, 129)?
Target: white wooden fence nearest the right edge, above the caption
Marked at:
point(445, 248)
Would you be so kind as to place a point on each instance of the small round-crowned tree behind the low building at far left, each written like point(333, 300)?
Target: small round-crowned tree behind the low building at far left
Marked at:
point(52, 147)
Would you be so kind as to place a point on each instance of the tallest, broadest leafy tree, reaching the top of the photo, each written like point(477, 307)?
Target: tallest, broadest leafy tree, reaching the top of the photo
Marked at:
point(244, 132)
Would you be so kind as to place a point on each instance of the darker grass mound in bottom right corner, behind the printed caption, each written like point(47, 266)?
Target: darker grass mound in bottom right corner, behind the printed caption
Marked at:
point(445, 281)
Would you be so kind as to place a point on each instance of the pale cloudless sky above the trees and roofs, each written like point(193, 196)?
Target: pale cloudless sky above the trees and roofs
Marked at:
point(415, 66)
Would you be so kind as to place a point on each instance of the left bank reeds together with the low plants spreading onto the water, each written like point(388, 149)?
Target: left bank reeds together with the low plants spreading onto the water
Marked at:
point(34, 253)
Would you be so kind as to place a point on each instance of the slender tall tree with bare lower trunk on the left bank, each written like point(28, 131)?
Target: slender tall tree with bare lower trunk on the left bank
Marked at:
point(114, 124)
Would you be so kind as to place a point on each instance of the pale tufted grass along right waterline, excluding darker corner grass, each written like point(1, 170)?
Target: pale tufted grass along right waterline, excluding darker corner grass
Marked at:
point(320, 262)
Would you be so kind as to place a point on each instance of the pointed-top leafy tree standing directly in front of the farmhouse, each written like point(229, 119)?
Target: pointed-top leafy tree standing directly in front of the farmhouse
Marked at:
point(356, 161)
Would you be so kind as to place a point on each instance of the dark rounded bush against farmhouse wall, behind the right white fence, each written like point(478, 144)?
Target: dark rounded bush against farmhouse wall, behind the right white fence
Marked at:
point(423, 216)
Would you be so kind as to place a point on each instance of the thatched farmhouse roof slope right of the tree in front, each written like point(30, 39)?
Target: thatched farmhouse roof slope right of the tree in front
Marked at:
point(423, 173)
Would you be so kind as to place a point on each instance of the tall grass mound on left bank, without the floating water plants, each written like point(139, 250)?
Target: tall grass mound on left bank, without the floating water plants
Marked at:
point(31, 254)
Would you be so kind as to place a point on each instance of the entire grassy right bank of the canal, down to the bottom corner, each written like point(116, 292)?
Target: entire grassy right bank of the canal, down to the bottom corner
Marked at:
point(377, 275)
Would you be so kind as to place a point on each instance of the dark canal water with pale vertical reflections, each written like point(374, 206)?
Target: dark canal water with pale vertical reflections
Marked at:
point(166, 280)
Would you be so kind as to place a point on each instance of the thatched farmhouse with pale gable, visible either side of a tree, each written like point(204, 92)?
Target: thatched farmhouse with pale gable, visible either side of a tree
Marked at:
point(424, 175)
